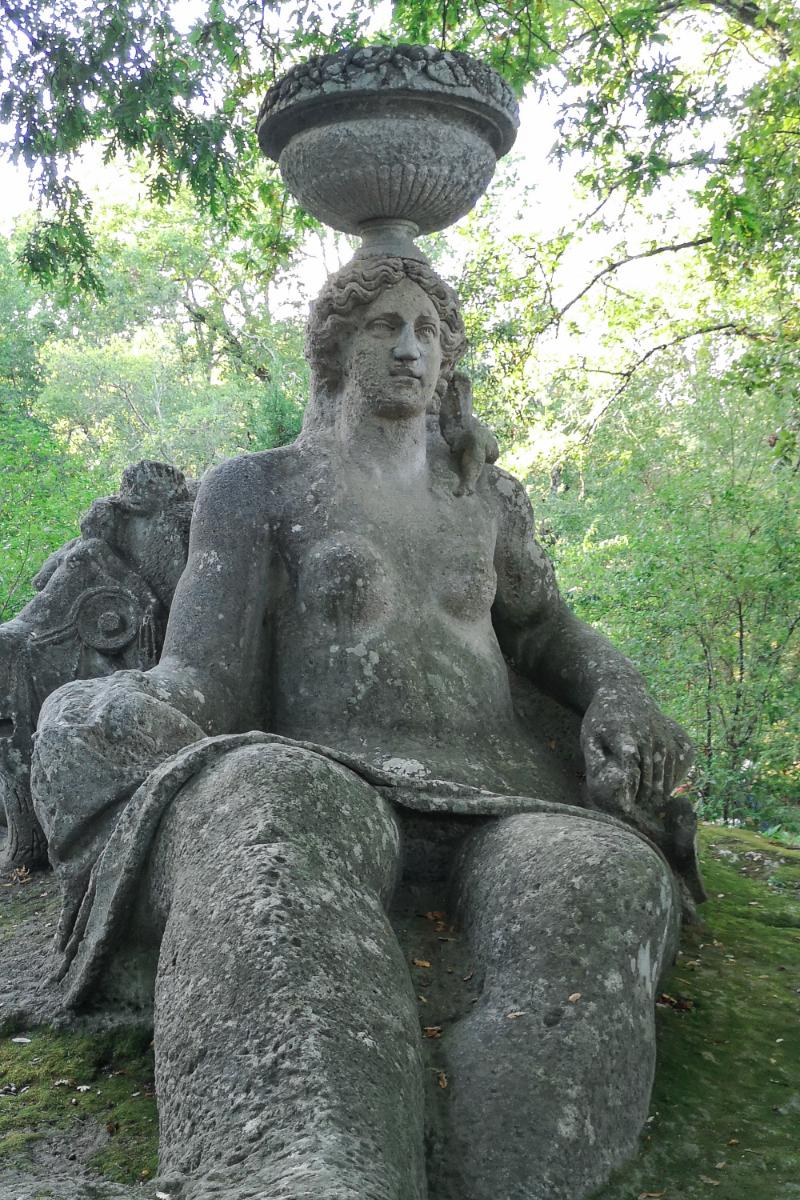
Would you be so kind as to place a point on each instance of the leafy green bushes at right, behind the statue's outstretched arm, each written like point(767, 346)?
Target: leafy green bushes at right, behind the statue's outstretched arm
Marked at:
point(681, 536)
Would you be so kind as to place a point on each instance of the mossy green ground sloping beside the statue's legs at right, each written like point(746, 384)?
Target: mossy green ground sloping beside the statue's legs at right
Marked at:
point(726, 1106)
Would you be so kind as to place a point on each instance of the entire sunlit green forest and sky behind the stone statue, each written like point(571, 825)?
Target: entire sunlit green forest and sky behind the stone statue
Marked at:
point(630, 289)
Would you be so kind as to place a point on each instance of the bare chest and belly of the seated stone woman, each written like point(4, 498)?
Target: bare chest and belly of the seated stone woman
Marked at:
point(381, 623)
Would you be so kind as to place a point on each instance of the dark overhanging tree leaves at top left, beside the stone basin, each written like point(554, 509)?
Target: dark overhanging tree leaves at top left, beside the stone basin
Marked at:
point(128, 79)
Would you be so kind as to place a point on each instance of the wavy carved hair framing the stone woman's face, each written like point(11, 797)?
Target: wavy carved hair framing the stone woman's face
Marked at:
point(340, 308)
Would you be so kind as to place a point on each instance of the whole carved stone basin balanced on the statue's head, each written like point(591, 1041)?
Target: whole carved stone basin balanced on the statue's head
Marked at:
point(378, 134)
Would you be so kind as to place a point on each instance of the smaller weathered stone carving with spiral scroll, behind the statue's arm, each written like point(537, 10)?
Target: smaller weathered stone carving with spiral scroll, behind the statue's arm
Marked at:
point(103, 605)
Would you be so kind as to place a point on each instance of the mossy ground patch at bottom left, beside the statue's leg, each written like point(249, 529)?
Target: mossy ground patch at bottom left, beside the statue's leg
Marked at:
point(94, 1088)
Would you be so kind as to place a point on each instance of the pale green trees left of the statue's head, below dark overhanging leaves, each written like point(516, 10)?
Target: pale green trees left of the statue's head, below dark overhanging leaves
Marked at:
point(178, 362)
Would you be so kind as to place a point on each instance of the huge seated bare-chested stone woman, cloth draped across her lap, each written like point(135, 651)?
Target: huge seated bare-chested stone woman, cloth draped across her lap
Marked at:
point(333, 735)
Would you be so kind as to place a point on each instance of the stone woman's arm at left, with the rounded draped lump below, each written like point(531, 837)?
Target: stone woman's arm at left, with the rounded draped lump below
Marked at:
point(99, 740)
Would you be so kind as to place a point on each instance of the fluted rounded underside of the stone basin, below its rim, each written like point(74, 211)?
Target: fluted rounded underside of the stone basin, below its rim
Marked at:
point(407, 165)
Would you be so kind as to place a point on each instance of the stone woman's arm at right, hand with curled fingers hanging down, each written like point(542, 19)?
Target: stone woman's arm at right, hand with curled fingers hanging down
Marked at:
point(630, 747)
